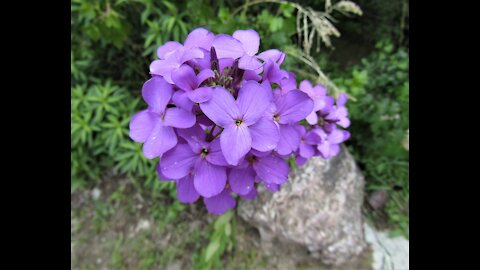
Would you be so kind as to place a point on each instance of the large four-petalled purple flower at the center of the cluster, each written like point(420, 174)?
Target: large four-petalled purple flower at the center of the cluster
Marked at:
point(241, 120)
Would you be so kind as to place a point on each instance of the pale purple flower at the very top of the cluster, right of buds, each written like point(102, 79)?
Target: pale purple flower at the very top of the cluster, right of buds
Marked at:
point(242, 44)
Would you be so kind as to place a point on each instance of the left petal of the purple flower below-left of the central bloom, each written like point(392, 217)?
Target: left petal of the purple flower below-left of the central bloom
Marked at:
point(178, 162)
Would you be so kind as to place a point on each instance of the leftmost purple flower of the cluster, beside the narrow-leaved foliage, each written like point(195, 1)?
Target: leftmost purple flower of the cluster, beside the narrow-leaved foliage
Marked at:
point(154, 126)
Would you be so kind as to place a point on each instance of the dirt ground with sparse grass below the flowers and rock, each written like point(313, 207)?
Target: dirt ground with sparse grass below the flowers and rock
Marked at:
point(117, 226)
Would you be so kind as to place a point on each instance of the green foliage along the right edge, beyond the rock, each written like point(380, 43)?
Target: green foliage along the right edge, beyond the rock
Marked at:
point(379, 119)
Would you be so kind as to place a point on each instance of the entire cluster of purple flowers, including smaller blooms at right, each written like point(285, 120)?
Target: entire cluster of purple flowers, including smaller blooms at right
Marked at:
point(225, 119)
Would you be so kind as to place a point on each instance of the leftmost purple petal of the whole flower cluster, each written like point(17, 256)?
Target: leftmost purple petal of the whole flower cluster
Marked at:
point(142, 124)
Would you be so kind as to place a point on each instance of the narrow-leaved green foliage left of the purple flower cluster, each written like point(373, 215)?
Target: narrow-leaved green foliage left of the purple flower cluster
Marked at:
point(100, 114)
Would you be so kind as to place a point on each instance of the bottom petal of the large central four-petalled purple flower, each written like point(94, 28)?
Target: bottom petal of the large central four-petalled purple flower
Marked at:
point(235, 142)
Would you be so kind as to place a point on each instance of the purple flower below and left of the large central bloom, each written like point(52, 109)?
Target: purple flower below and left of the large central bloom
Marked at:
point(201, 160)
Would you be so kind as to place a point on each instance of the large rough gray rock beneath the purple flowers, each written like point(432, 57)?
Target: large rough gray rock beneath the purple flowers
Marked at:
point(319, 209)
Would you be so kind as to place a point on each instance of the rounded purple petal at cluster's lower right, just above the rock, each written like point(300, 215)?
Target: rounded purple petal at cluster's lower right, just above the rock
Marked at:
point(272, 169)
